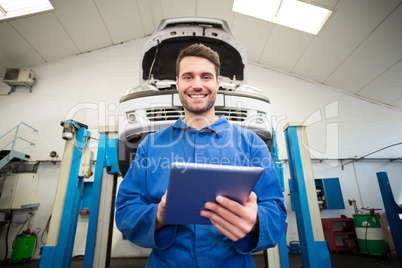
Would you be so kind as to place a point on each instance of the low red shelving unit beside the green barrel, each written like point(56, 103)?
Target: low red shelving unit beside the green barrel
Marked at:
point(340, 234)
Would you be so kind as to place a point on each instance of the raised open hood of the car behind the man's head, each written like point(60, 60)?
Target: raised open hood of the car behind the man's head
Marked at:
point(159, 53)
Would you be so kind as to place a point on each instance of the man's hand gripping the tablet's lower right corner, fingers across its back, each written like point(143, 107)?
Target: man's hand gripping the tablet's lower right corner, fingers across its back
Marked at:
point(231, 218)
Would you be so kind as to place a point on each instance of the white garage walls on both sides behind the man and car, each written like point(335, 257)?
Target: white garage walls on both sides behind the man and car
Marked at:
point(87, 88)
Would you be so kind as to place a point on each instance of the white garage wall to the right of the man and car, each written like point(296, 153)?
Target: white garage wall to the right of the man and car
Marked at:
point(339, 126)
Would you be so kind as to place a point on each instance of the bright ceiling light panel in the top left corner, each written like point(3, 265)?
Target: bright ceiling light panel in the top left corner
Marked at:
point(16, 8)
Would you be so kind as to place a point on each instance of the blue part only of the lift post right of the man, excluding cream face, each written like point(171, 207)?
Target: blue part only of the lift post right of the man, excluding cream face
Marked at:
point(315, 254)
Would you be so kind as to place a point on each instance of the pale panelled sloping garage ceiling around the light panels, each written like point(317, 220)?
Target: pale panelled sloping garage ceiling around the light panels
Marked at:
point(358, 51)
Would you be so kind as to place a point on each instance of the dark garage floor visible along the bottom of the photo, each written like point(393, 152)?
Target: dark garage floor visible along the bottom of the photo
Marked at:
point(341, 260)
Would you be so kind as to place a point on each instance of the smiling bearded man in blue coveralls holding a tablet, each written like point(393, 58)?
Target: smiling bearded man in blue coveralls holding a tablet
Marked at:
point(236, 230)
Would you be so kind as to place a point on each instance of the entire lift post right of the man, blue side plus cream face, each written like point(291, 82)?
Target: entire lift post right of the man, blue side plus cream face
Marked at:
point(314, 249)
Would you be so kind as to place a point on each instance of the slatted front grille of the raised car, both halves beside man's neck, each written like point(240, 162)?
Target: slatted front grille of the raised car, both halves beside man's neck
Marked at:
point(166, 114)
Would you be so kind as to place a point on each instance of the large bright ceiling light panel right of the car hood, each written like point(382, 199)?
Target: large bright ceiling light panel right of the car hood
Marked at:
point(290, 13)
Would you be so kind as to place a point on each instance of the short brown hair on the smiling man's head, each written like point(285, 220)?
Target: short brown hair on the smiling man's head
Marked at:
point(199, 50)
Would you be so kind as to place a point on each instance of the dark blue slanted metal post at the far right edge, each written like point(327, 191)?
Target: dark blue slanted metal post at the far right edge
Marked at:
point(393, 210)
